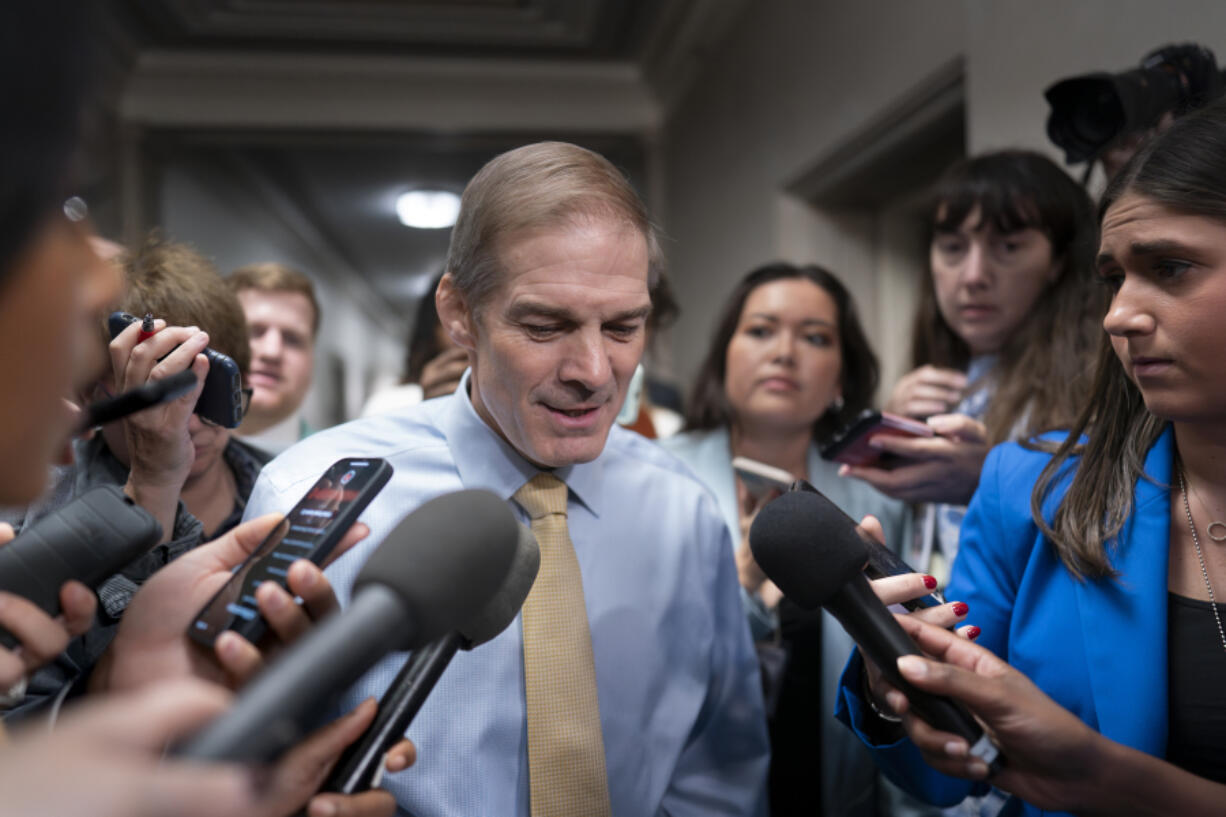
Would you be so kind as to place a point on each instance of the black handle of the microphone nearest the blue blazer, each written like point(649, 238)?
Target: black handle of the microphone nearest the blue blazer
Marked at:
point(883, 640)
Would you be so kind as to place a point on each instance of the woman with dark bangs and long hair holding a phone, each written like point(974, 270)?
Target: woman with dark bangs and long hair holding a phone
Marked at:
point(1005, 336)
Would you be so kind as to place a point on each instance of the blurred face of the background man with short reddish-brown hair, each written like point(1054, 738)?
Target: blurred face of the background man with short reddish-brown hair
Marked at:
point(283, 354)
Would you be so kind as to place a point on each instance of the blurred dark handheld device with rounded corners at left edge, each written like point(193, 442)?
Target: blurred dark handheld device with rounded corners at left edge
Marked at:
point(90, 540)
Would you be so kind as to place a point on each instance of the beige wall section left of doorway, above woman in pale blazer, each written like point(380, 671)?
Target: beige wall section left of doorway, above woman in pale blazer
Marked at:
point(795, 80)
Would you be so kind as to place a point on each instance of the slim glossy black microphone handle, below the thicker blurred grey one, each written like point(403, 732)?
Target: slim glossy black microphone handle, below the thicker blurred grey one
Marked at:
point(360, 766)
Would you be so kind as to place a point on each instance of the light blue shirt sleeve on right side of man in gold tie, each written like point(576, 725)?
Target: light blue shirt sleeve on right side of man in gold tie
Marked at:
point(723, 769)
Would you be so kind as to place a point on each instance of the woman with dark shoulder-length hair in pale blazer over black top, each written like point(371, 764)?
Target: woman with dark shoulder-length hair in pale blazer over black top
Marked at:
point(789, 365)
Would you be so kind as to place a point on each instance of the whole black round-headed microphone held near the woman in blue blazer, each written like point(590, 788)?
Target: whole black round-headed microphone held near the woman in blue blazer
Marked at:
point(811, 550)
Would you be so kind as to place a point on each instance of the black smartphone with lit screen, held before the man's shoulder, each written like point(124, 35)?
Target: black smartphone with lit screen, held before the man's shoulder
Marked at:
point(312, 531)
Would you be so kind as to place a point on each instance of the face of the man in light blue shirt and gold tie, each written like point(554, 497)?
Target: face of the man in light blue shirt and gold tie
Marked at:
point(556, 345)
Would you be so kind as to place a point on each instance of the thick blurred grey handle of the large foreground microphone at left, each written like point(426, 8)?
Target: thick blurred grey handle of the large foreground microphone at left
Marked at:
point(273, 712)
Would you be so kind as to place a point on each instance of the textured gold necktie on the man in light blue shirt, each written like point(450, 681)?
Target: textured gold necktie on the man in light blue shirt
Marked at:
point(567, 773)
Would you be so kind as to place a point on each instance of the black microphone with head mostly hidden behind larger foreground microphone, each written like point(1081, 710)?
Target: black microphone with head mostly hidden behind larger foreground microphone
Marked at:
point(361, 765)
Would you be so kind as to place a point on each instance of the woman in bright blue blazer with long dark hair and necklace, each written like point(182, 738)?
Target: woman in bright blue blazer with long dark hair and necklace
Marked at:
point(1093, 565)
